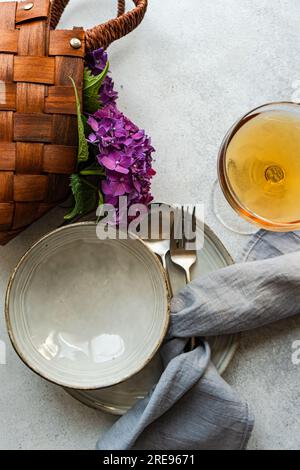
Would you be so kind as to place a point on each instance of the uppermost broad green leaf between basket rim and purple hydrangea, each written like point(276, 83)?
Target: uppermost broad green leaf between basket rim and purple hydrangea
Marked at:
point(91, 88)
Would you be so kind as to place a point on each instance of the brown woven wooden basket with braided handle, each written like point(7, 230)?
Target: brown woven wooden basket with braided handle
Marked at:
point(38, 123)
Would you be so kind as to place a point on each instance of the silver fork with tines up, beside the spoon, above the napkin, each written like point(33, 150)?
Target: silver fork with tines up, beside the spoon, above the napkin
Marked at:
point(180, 255)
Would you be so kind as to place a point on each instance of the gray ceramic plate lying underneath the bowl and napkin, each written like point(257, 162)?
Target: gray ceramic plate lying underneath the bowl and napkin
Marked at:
point(119, 398)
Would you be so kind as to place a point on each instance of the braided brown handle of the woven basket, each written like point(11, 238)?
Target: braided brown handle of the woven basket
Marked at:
point(104, 34)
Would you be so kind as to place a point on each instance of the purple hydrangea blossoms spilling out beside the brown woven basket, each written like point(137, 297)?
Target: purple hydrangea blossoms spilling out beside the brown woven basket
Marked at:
point(124, 150)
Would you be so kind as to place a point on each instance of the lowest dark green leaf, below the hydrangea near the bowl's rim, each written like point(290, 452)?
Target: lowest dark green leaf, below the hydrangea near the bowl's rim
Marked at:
point(85, 197)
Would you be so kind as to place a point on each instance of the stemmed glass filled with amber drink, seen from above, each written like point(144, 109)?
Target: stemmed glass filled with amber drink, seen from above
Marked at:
point(259, 167)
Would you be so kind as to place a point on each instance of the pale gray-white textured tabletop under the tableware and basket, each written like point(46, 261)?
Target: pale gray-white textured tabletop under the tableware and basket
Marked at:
point(185, 75)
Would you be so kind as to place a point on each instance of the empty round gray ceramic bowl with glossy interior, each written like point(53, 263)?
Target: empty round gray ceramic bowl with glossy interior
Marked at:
point(86, 313)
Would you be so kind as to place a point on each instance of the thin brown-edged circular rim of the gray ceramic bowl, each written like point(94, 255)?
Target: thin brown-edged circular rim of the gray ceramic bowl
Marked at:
point(43, 374)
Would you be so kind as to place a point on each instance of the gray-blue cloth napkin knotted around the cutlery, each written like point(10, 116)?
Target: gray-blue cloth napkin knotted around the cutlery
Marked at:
point(192, 407)
